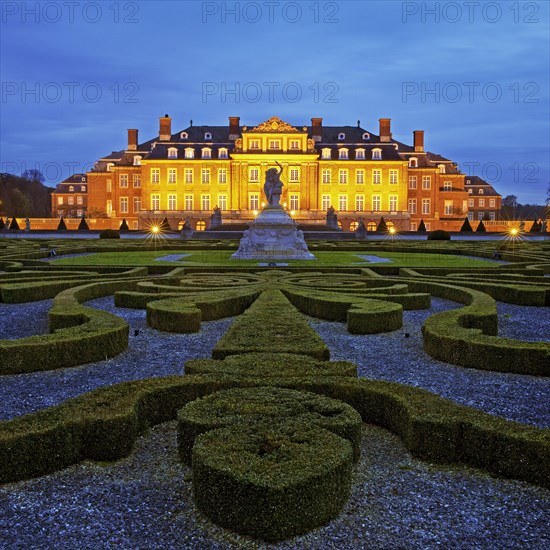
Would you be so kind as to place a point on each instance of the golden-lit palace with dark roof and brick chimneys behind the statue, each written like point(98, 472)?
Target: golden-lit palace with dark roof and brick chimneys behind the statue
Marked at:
point(363, 175)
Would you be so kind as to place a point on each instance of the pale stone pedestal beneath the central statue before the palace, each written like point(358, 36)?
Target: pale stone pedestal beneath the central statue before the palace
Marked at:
point(273, 235)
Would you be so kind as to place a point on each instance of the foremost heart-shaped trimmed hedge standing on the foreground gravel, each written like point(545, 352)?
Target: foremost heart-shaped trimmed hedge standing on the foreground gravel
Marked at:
point(271, 482)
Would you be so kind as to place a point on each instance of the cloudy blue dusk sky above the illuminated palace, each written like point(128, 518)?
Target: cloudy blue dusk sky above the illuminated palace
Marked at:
point(473, 75)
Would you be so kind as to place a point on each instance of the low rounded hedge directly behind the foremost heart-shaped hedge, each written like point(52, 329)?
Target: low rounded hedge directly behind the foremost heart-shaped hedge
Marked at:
point(241, 407)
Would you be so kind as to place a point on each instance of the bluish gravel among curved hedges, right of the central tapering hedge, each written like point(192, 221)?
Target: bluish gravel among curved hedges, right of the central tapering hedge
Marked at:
point(391, 356)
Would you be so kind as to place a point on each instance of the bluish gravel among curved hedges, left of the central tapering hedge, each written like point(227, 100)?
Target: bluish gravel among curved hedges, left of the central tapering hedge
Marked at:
point(151, 353)
